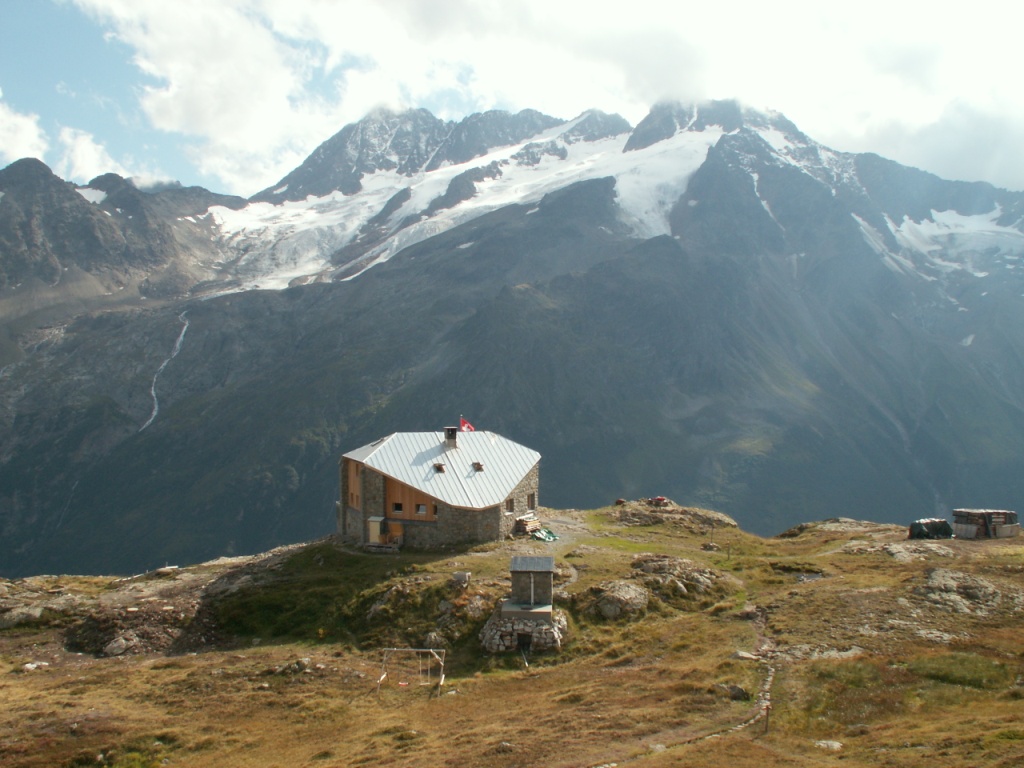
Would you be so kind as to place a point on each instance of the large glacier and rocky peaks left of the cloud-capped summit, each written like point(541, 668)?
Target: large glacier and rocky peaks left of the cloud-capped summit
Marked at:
point(400, 192)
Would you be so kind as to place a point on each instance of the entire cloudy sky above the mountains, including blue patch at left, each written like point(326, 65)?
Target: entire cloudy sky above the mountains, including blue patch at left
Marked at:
point(232, 95)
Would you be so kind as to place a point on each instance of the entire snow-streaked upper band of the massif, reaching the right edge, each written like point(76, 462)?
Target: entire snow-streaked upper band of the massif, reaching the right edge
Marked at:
point(395, 180)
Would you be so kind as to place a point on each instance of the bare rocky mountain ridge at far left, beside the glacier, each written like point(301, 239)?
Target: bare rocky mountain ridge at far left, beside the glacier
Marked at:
point(67, 250)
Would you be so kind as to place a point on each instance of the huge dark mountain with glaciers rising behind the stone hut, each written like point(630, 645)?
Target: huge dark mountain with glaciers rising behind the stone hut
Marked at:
point(809, 335)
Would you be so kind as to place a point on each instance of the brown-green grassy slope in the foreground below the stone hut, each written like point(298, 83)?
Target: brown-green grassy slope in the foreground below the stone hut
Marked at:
point(642, 693)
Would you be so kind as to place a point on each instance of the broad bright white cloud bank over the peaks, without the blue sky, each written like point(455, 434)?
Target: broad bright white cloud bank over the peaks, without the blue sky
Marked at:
point(258, 84)
